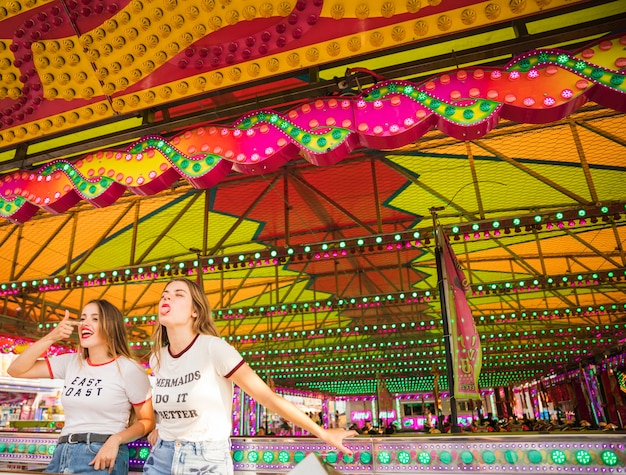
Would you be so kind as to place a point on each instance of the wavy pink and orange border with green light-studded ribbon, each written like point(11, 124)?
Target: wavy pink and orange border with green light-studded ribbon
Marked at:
point(541, 86)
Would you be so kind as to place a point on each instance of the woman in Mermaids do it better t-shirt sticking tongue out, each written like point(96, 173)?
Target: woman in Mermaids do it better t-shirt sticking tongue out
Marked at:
point(195, 370)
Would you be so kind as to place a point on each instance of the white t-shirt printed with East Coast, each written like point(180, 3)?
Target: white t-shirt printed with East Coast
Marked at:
point(98, 398)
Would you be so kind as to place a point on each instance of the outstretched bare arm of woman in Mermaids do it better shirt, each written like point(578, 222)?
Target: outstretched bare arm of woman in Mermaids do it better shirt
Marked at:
point(255, 387)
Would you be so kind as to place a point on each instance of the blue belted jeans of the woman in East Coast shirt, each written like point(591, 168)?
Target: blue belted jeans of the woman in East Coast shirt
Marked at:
point(75, 458)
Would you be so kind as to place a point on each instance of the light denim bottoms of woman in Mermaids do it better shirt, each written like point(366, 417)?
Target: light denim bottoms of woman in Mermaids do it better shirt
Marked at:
point(182, 458)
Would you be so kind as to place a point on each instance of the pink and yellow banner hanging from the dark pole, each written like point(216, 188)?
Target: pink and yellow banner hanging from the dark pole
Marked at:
point(464, 338)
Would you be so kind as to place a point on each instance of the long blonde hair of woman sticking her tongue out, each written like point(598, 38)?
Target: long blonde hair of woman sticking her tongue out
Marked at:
point(203, 324)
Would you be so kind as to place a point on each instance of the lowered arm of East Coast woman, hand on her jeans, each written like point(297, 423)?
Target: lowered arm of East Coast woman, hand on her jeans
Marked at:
point(105, 458)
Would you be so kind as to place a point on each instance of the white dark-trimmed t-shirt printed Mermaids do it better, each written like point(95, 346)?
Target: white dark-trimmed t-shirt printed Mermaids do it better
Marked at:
point(192, 396)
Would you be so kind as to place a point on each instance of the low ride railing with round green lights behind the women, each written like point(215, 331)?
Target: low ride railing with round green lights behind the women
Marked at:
point(498, 452)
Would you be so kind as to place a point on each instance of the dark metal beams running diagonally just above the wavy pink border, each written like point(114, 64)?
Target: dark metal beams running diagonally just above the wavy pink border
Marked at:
point(170, 124)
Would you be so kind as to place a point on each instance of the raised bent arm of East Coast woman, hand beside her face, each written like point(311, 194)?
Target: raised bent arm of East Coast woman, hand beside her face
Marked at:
point(28, 364)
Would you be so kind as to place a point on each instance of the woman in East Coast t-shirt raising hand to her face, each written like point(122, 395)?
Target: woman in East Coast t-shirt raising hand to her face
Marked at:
point(104, 389)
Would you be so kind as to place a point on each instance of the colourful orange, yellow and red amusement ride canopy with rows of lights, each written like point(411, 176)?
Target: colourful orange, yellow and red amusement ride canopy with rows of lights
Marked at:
point(294, 157)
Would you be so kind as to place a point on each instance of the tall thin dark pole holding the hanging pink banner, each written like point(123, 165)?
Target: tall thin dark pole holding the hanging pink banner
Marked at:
point(442, 284)
